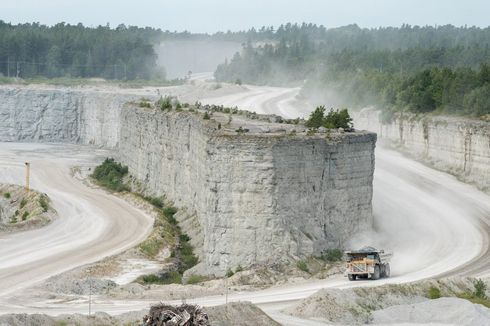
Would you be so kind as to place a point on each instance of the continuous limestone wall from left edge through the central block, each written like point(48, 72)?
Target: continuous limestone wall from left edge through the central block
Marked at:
point(259, 197)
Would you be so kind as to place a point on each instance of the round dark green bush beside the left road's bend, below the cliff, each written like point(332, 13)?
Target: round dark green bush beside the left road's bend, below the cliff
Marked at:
point(110, 175)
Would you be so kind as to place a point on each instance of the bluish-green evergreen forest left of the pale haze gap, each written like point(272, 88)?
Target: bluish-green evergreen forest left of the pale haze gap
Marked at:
point(31, 50)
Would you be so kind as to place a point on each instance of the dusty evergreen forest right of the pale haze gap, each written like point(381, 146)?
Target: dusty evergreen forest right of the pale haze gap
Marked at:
point(421, 69)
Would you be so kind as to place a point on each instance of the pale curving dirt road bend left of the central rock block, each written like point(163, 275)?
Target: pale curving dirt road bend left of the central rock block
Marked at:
point(92, 224)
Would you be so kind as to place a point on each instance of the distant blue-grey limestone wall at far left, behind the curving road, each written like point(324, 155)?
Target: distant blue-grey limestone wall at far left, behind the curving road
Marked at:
point(60, 115)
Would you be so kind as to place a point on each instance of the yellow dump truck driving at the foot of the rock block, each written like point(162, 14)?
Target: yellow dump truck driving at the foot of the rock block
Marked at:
point(367, 262)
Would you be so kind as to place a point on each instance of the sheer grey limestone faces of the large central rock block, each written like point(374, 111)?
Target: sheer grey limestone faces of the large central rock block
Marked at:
point(258, 197)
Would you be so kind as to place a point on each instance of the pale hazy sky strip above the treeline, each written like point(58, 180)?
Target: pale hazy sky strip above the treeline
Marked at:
point(216, 15)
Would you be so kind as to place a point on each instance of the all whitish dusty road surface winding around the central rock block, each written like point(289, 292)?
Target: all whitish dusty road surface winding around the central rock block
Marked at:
point(433, 223)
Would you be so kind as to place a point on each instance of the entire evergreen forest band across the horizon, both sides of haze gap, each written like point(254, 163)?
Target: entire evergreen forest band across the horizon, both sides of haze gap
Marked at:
point(420, 69)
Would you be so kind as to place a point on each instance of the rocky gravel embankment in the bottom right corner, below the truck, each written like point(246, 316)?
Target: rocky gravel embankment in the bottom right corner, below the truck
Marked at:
point(441, 302)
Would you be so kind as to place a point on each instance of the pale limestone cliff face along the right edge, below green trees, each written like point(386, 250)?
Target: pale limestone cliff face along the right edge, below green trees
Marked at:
point(456, 145)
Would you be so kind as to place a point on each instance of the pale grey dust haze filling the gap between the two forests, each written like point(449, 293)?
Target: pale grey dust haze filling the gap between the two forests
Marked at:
point(178, 57)
